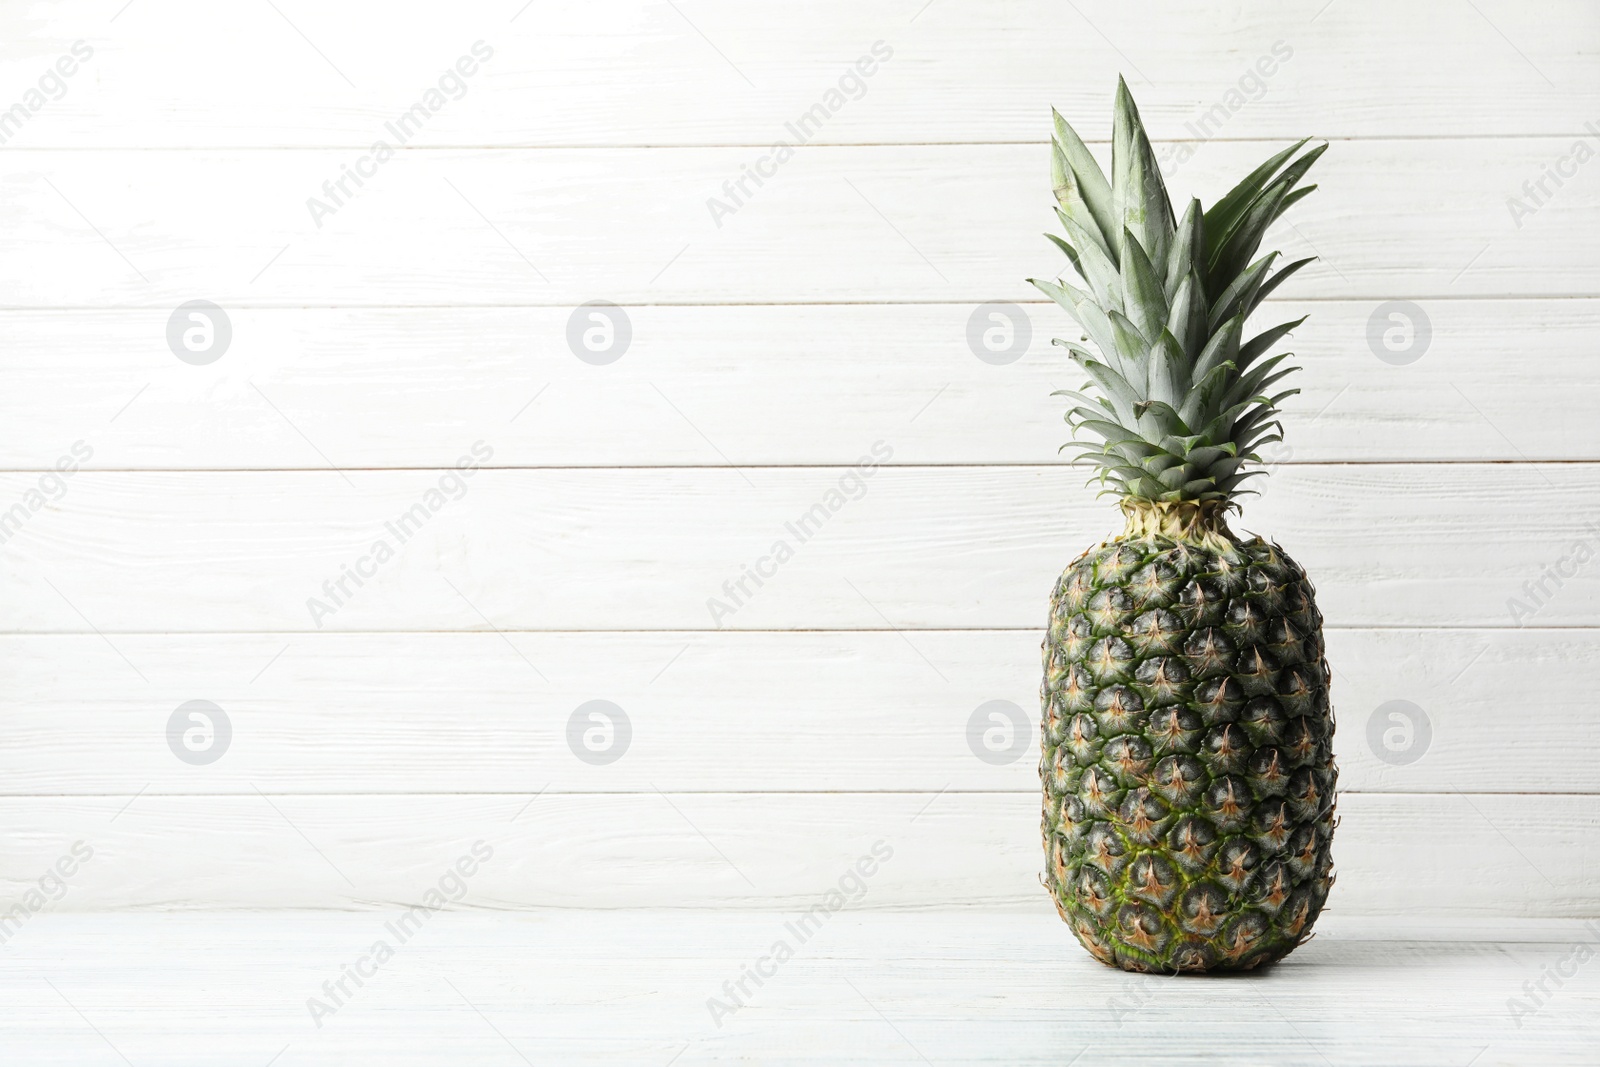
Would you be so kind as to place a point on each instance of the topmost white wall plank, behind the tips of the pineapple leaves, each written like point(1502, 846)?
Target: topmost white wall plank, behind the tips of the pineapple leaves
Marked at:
point(718, 73)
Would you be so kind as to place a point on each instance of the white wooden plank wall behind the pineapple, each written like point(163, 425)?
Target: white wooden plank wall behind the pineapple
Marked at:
point(769, 354)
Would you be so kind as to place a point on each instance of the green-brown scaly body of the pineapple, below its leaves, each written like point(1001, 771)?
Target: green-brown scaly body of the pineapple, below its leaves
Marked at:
point(1186, 754)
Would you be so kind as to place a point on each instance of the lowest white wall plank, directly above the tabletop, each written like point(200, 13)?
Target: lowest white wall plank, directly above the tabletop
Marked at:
point(1433, 853)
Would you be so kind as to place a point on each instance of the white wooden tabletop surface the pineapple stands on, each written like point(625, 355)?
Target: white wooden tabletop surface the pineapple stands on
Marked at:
point(870, 988)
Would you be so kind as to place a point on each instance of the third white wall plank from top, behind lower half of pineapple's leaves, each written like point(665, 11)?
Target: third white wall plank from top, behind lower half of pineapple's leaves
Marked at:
point(753, 385)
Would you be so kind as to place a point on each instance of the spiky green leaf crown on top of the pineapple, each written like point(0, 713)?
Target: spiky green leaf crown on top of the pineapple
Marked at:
point(1183, 401)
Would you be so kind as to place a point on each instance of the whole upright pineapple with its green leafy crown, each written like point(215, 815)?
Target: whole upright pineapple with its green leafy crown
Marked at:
point(1188, 738)
